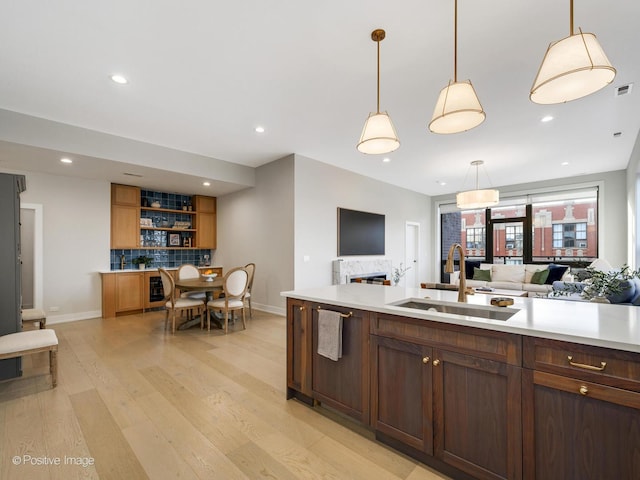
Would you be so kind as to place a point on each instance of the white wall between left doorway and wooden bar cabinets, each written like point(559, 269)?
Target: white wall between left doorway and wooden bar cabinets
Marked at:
point(76, 217)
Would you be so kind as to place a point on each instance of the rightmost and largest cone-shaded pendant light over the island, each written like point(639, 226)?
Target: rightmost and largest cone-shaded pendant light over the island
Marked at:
point(572, 68)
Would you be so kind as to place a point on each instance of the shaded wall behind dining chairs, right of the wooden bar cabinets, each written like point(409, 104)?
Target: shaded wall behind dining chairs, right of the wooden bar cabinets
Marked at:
point(256, 225)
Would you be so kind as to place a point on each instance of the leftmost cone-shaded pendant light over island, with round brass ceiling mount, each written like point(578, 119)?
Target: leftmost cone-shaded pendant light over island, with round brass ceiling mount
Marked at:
point(378, 135)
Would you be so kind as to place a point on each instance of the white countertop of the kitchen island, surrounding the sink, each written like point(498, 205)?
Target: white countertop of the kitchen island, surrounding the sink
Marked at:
point(604, 325)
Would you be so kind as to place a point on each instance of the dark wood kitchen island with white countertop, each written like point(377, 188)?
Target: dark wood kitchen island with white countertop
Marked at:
point(551, 392)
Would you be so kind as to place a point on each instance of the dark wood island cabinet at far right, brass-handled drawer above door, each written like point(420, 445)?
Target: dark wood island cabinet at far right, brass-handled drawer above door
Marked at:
point(581, 410)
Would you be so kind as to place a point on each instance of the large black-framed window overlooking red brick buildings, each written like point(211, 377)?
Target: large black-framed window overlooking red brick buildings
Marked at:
point(540, 228)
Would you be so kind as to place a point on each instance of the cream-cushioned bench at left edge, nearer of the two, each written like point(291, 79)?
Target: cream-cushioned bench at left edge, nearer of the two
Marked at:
point(32, 341)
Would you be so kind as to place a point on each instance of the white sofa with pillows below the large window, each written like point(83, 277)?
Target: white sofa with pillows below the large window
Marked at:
point(511, 277)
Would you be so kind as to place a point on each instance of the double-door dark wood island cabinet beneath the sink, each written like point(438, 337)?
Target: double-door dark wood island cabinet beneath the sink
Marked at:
point(450, 392)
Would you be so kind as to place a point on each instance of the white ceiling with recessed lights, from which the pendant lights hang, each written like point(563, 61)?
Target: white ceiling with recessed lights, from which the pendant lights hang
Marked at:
point(204, 73)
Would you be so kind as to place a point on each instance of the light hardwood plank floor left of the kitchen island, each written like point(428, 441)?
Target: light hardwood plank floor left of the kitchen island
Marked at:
point(135, 402)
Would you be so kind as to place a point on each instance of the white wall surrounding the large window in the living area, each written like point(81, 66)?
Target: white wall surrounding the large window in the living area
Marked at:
point(612, 215)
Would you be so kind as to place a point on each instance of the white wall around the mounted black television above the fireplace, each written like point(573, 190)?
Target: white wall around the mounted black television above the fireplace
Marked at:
point(320, 189)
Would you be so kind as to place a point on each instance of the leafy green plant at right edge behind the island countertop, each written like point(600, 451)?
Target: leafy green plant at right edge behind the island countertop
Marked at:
point(599, 283)
